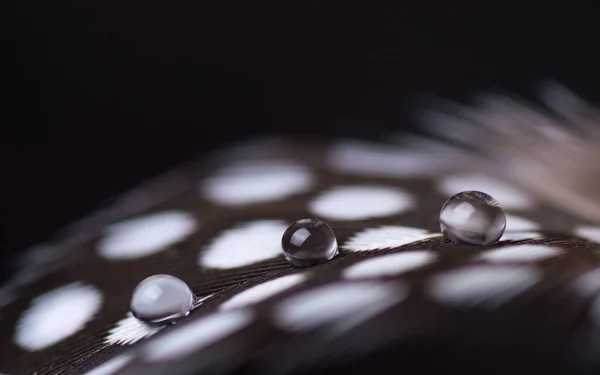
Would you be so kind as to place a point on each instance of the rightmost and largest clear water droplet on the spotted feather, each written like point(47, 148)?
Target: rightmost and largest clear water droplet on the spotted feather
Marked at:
point(472, 217)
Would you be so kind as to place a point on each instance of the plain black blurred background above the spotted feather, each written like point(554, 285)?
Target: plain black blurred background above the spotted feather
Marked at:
point(103, 94)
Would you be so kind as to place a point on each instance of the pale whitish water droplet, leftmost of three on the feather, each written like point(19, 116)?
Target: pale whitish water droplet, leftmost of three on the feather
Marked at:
point(161, 299)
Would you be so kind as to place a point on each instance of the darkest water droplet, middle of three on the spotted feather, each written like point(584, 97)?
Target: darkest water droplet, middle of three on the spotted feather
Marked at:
point(308, 242)
